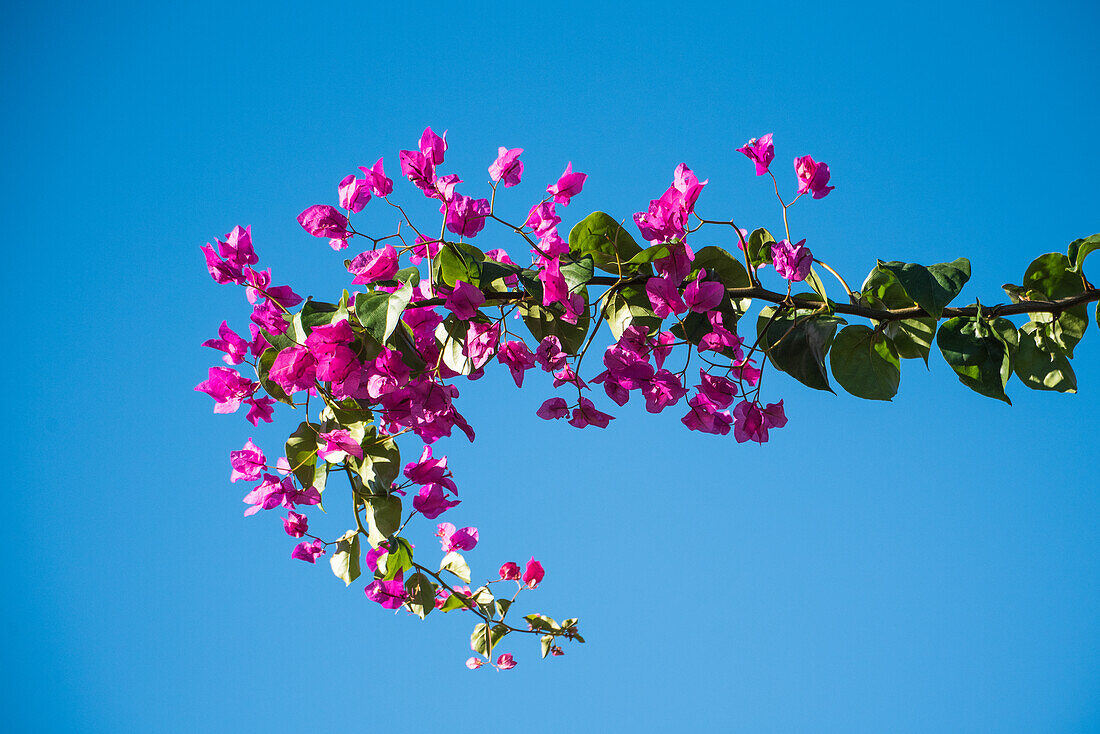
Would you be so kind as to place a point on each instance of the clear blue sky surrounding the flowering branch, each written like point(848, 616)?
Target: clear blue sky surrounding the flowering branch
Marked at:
point(930, 565)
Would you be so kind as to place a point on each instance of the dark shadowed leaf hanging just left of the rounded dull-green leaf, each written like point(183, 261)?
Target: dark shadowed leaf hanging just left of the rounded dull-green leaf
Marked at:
point(798, 345)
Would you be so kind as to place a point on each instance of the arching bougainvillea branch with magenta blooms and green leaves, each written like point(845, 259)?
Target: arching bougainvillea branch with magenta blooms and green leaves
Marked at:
point(380, 364)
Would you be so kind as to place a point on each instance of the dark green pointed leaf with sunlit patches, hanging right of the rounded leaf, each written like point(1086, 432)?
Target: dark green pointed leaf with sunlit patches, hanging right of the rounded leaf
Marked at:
point(978, 354)
